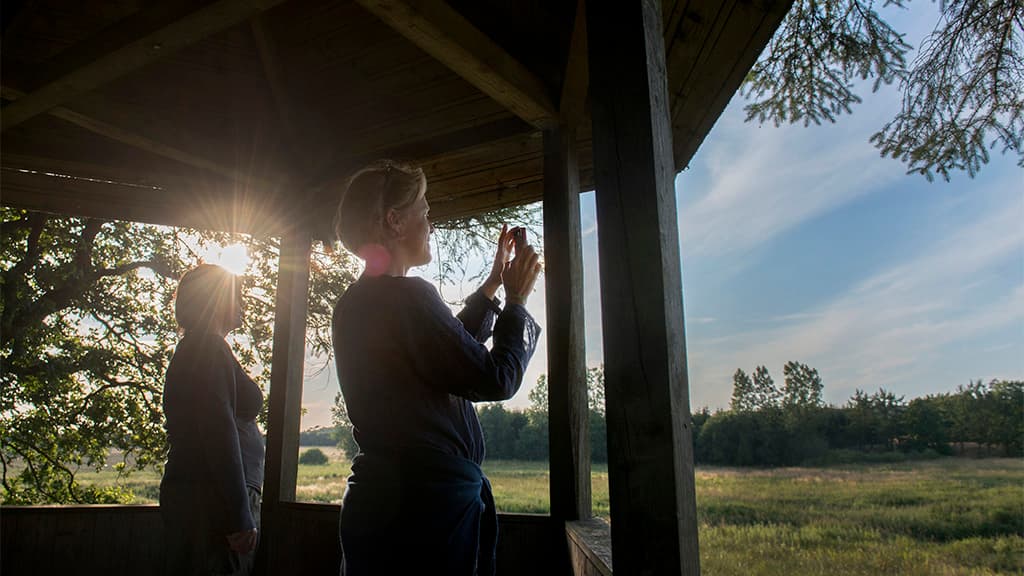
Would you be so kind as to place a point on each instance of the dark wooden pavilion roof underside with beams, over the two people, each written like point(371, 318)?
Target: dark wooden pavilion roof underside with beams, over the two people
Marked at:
point(247, 114)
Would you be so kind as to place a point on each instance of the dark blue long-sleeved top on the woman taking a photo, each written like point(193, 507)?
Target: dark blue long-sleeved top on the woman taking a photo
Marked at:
point(410, 371)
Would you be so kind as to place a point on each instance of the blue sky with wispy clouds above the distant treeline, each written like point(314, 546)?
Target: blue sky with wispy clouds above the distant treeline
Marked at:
point(802, 243)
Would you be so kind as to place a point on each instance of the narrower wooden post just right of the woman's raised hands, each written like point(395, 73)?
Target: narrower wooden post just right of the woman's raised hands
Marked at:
point(569, 425)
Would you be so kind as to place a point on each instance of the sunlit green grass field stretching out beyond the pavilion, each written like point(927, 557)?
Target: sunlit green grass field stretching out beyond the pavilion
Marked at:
point(949, 517)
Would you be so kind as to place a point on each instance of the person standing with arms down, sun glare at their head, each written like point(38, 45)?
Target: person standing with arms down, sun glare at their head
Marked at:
point(210, 493)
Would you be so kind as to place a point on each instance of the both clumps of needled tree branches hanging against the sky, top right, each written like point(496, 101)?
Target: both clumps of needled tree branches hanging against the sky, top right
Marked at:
point(963, 94)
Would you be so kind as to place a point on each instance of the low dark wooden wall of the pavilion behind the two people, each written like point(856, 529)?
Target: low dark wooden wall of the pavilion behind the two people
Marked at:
point(129, 541)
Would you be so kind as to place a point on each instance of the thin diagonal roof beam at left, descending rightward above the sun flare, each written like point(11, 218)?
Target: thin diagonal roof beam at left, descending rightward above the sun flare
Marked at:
point(147, 144)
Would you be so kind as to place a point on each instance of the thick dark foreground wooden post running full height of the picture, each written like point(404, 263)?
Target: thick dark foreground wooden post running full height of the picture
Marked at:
point(651, 460)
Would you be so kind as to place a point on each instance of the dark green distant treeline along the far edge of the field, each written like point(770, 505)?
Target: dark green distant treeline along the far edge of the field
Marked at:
point(766, 426)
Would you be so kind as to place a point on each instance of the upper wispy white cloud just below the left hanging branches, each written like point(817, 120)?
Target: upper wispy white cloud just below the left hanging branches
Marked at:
point(762, 183)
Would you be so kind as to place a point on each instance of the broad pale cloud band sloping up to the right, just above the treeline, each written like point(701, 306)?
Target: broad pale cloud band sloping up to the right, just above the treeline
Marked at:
point(889, 330)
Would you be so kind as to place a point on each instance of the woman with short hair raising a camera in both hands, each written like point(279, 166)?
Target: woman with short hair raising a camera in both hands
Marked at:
point(417, 502)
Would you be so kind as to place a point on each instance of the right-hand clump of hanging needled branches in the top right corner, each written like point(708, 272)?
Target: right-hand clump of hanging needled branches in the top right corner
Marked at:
point(965, 93)
